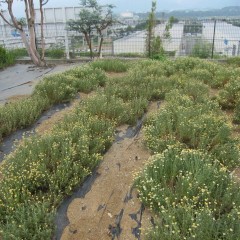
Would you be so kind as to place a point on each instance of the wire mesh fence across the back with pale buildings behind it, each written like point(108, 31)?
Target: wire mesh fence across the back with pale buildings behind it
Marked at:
point(202, 38)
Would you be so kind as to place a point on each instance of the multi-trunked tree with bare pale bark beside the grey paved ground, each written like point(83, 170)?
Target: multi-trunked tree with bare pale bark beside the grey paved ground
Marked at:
point(30, 43)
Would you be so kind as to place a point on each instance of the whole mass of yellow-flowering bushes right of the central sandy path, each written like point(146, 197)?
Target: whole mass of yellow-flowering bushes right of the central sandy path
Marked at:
point(187, 182)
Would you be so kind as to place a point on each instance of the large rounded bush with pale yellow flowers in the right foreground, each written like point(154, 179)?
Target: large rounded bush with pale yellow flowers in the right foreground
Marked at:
point(192, 194)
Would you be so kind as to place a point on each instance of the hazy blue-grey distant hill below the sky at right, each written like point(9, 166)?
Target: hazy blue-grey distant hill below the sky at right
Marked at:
point(233, 11)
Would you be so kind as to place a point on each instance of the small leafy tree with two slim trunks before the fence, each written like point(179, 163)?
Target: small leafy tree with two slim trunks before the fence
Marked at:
point(92, 17)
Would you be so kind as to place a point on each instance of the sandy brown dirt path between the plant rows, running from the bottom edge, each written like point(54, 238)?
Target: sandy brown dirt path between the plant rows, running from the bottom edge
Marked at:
point(111, 209)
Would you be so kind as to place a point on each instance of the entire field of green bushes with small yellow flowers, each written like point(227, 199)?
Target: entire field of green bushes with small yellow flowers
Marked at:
point(189, 182)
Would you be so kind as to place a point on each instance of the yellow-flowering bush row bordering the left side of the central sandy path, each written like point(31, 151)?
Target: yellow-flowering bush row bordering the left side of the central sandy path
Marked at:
point(43, 170)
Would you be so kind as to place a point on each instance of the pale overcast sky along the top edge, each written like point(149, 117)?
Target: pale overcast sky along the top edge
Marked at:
point(144, 5)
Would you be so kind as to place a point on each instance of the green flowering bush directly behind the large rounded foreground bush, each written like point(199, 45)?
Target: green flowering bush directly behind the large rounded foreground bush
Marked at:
point(196, 125)
